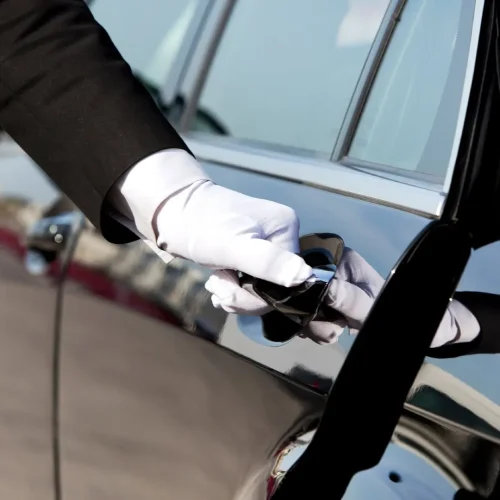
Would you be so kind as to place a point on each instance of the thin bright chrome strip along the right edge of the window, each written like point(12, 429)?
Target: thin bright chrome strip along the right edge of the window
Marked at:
point(469, 74)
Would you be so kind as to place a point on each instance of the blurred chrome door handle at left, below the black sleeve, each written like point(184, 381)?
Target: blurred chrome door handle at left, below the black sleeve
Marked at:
point(48, 238)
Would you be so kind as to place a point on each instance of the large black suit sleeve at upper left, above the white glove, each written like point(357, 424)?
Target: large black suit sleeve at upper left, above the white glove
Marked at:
point(71, 102)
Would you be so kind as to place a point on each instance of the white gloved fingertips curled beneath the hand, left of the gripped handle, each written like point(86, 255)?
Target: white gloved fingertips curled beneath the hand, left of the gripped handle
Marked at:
point(229, 296)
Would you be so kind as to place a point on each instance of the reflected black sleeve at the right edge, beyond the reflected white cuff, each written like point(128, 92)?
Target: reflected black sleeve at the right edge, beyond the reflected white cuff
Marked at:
point(486, 309)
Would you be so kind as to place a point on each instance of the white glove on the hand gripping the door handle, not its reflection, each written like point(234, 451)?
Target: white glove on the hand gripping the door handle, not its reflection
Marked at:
point(170, 202)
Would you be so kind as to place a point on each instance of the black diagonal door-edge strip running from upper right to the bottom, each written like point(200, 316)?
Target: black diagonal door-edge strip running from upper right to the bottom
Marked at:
point(443, 250)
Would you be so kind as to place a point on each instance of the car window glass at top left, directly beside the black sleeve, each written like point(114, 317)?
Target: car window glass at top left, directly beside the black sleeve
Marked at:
point(150, 35)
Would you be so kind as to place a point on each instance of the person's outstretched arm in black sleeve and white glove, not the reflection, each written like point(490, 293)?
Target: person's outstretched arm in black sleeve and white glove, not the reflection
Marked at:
point(72, 103)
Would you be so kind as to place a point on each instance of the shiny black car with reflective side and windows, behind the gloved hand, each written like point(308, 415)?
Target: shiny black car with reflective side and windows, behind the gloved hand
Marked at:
point(119, 380)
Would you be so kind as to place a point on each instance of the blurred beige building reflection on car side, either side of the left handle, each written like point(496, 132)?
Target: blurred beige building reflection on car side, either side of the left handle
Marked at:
point(177, 288)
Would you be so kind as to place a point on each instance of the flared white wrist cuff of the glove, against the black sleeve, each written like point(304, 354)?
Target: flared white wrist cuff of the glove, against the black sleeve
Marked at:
point(140, 191)
